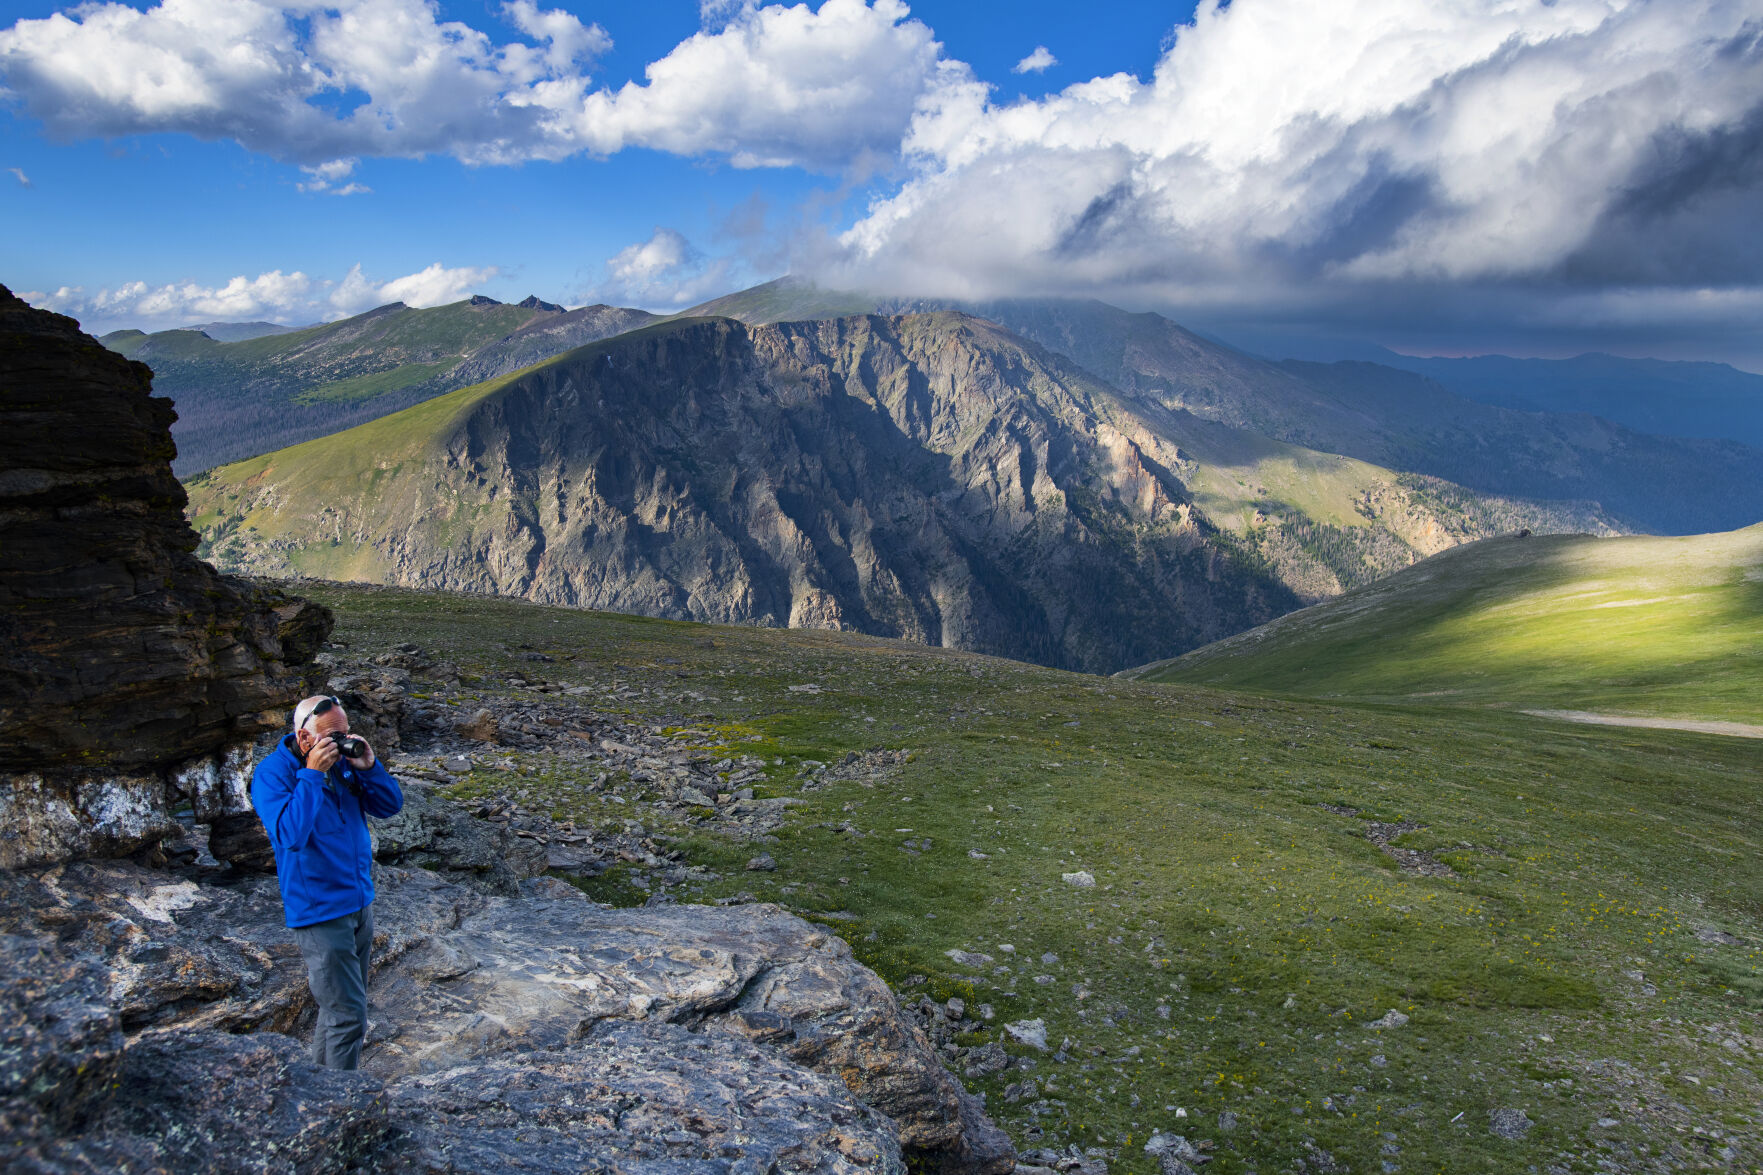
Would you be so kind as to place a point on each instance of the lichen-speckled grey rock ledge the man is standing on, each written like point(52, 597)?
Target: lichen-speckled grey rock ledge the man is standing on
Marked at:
point(539, 1026)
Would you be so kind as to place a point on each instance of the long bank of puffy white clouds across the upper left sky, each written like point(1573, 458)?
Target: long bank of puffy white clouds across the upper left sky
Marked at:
point(324, 80)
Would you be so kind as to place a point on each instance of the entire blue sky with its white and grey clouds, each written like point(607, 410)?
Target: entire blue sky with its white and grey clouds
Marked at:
point(1454, 179)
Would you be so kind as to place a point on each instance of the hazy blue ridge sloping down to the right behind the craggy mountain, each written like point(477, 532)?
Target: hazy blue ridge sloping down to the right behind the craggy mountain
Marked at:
point(1383, 415)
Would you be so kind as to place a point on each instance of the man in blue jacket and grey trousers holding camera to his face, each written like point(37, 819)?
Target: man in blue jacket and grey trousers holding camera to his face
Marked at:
point(313, 795)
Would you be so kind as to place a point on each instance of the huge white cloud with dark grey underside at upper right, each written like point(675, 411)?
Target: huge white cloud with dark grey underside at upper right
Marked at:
point(1387, 142)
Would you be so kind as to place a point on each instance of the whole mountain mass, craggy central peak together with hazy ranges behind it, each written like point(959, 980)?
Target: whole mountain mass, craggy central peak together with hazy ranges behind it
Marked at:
point(1057, 481)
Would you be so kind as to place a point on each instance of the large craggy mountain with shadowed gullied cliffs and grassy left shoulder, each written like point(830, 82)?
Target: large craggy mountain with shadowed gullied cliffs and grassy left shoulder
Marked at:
point(928, 477)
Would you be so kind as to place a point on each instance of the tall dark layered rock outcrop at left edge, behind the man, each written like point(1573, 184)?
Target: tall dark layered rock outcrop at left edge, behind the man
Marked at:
point(133, 673)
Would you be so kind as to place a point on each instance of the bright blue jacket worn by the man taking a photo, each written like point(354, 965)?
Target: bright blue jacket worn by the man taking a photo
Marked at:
point(324, 857)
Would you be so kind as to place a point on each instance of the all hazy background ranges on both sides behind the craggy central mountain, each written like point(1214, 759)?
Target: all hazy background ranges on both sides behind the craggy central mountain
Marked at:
point(1505, 428)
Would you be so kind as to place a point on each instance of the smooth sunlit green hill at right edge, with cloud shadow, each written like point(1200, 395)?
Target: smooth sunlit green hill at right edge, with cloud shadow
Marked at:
point(1635, 625)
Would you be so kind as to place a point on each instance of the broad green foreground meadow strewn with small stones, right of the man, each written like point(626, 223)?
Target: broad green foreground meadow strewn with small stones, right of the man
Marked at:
point(1244, 931)
